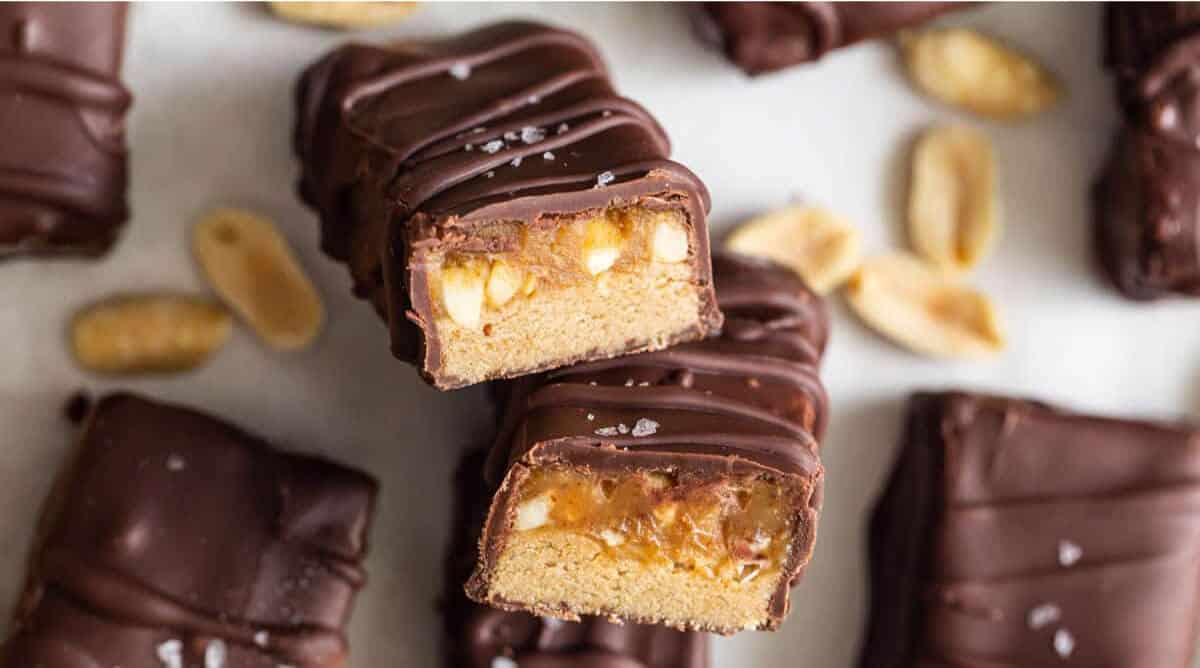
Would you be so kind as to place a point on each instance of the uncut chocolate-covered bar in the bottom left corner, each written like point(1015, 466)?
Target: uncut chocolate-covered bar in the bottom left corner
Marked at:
point(175, 540)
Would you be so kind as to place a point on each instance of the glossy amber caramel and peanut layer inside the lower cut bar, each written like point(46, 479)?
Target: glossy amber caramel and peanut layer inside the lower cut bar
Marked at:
point(733, 529)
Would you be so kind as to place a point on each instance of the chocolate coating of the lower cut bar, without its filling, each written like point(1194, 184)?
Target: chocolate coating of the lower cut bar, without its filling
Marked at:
point(746, 402)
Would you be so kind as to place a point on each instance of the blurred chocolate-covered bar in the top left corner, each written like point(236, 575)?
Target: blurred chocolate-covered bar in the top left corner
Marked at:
point(63, 170)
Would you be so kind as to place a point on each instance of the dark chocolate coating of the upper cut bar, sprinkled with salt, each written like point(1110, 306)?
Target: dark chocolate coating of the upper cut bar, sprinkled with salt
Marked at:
point(394, 146)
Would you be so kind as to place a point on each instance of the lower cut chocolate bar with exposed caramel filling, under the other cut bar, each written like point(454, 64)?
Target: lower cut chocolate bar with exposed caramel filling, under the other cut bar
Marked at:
point(677, 488)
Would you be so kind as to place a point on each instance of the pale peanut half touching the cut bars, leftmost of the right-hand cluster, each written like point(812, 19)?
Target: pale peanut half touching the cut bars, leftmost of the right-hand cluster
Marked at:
point(811, 242)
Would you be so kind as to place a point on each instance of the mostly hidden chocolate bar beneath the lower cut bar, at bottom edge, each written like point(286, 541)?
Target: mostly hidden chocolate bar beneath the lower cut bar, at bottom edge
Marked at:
point(482, 637)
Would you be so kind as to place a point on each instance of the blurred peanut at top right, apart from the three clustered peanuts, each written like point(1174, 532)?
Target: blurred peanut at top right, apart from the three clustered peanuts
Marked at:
point(979, 74)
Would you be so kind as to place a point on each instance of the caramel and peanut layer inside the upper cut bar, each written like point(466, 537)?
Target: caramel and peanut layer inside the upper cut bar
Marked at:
point(585, 252)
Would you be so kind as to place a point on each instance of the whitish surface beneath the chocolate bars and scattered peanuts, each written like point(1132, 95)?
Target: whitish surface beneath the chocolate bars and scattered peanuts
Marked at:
point(212, 127)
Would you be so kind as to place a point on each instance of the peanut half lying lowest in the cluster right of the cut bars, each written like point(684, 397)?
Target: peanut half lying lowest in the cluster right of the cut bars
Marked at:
point(923, 309)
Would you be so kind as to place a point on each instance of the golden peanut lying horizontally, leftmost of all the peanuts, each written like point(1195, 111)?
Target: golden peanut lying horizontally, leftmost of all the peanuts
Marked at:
point(148, 334)
